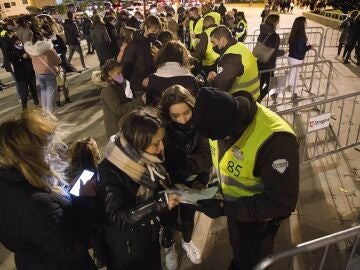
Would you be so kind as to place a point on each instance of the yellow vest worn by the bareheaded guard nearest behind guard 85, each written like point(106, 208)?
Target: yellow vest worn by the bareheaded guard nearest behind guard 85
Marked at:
point(249, 81)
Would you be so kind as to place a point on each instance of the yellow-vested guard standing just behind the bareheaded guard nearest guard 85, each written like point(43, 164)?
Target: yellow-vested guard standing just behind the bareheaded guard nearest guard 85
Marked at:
point(204, 52)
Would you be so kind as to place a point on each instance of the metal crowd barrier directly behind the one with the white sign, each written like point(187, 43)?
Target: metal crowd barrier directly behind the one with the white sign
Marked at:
point(313, 83)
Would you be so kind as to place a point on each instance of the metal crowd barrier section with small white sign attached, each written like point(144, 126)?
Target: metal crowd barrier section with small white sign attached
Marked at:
point(325, 127)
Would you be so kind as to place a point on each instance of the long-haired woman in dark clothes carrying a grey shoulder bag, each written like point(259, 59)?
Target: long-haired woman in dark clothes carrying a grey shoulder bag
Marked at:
point(270, 39)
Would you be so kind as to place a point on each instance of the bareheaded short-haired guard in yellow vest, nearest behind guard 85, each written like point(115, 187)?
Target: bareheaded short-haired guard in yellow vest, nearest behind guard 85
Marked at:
point(237, 67)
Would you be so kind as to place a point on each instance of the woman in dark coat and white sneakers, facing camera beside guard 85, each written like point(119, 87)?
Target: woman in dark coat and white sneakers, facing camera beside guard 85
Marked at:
point(188, 161)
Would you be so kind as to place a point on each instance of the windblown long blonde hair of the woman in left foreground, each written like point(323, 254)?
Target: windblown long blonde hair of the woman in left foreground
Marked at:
point(31, 144)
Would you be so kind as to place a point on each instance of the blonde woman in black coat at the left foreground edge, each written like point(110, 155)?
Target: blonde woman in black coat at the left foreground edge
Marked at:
point(40, 221)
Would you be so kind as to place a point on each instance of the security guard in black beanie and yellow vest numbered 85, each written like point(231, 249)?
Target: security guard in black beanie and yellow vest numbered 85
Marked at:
point(255, 154)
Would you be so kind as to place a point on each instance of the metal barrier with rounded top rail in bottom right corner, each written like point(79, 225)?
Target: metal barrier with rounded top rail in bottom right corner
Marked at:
point(307, 247)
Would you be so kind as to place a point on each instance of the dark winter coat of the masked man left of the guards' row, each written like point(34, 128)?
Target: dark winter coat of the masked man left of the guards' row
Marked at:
point(138, 61)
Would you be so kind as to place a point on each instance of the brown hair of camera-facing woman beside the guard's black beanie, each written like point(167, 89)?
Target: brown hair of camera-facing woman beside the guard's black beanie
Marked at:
point(174, 95)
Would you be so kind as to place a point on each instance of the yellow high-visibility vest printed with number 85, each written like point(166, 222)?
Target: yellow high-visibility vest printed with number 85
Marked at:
point(235, 170)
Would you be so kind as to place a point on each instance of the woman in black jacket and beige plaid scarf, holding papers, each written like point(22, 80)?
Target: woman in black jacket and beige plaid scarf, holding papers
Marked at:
point(131, 176)
